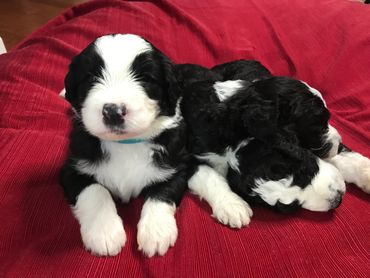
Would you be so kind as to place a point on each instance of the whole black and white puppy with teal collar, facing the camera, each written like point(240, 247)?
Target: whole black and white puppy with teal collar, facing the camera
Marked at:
point(128, 137)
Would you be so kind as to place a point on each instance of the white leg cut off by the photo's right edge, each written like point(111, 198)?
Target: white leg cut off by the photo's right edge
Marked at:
point(354, 167)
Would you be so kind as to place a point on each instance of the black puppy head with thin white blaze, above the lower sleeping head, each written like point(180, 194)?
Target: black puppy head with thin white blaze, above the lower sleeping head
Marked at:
point(303, 110)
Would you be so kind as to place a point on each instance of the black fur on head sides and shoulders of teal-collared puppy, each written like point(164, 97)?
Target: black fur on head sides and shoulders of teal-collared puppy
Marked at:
point(155, 73)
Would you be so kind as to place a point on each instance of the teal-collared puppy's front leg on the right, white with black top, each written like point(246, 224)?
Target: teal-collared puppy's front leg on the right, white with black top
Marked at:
point(157, 229)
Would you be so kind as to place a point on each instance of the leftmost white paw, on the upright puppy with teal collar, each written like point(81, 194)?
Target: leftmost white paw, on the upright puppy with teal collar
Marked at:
point(105, 236)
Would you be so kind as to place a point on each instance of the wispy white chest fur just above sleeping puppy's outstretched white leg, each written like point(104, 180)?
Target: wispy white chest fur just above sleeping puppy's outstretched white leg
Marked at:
point(222, 162)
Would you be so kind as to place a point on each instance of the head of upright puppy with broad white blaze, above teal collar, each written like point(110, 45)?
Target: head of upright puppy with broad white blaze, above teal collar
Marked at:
point(121, 86)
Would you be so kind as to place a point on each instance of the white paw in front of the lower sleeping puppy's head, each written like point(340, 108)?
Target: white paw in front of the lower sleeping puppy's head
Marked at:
point(232, 211)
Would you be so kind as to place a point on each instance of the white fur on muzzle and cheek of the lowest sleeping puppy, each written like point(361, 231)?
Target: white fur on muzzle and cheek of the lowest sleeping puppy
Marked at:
point(316, 196)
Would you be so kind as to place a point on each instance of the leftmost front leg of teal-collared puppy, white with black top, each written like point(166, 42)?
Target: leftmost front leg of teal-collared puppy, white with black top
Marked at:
point(101, 228)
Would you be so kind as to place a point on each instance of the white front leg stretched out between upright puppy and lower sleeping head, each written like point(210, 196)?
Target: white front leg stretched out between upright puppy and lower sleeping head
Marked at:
point(227, 207)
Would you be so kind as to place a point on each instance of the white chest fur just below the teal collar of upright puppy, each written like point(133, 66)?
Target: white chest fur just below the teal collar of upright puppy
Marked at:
point(128, 170)
